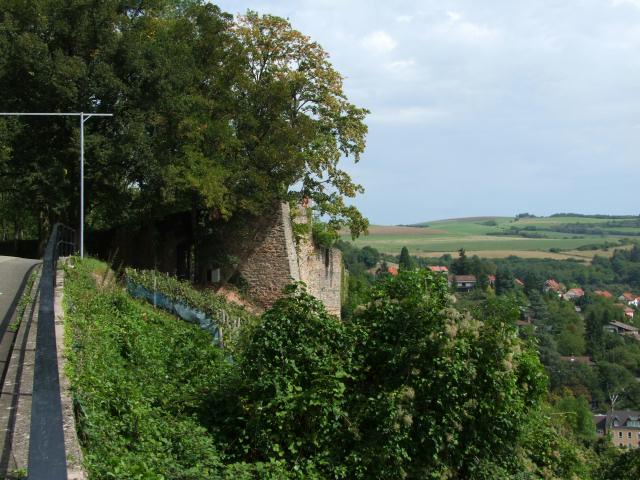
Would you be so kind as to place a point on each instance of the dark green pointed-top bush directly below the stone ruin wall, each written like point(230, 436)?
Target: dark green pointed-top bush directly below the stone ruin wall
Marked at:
point(296, 369)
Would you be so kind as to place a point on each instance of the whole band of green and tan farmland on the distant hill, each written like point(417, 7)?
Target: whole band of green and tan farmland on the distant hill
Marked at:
point(503, 236)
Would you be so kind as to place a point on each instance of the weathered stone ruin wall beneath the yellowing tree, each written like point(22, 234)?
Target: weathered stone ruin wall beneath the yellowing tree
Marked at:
point(275, 261)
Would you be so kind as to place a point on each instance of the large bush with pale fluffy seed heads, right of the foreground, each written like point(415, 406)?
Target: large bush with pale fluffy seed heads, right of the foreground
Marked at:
point(424, 367)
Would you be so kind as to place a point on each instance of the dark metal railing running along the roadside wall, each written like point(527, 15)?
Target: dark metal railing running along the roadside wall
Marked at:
point(47, 458)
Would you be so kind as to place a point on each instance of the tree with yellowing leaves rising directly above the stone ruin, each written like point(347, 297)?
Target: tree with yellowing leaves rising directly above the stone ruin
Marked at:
point(295, 122)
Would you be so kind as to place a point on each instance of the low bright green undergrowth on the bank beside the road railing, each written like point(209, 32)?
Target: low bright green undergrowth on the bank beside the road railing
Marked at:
point(138, 379)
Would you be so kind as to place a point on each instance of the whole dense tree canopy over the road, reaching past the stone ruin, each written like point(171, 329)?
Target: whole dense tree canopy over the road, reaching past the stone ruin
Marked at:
point(213, 115)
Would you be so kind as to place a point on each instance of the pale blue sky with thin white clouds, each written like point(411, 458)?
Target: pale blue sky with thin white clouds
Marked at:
point(492, 107)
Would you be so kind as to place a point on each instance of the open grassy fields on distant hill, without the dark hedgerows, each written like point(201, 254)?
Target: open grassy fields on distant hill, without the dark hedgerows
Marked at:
point(471, 234)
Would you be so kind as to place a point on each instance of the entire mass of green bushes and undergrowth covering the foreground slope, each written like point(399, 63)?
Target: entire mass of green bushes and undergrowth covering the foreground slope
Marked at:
point(433, 394)
